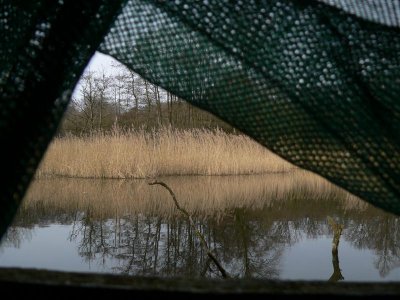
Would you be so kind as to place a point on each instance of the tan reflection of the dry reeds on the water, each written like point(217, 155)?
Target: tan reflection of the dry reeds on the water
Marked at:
point(200, 195)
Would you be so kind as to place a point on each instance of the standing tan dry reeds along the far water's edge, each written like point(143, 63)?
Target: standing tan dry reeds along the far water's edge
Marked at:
point(142, 154)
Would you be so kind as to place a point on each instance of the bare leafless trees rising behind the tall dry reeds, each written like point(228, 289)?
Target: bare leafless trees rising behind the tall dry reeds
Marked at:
point(126, 100)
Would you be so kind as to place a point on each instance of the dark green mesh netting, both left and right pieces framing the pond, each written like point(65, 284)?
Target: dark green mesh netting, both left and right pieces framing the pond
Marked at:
point(317, 82)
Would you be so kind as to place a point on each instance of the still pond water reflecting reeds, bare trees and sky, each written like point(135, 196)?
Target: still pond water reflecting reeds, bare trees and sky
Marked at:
point(263, 226)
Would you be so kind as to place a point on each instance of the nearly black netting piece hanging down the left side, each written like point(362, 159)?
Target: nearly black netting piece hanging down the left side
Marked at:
point(45, 46)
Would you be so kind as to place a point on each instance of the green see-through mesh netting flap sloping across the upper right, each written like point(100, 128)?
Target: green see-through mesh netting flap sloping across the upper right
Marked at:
point(314, 83)
